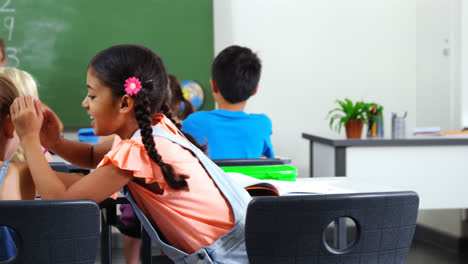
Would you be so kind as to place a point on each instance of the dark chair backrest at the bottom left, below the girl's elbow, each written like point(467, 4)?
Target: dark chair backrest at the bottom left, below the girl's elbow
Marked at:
point(53, 231)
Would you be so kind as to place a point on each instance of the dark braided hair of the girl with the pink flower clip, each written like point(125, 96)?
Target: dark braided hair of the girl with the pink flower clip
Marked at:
point(116, 64)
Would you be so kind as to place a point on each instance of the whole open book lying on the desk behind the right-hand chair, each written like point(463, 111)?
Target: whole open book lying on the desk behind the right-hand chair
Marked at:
point(258, 187)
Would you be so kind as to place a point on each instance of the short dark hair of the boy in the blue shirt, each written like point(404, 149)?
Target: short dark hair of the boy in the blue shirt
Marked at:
point(236, 72)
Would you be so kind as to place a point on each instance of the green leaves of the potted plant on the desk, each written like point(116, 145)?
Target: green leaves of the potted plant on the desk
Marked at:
point(348, 111)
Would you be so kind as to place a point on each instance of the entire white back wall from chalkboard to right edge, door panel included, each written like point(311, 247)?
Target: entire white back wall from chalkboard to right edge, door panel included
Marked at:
point(315, 52)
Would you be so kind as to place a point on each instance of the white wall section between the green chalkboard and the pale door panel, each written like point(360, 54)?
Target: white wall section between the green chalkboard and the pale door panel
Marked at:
point(315, 52)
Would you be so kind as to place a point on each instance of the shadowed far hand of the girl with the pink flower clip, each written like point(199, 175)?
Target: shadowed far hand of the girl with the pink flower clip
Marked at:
point(51, 129)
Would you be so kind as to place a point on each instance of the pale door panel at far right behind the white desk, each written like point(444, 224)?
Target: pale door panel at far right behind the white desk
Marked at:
point(435, 49)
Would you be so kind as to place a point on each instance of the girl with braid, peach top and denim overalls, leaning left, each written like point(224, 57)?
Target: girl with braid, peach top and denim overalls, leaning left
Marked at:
point(169, 181)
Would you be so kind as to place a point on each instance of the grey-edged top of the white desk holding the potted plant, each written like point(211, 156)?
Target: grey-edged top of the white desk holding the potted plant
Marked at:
point(410, 141)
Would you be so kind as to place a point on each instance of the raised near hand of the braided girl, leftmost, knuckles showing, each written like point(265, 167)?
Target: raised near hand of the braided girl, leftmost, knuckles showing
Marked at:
point(26, 114)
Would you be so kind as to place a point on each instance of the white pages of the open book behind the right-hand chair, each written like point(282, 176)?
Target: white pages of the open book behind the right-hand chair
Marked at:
point(288, 187)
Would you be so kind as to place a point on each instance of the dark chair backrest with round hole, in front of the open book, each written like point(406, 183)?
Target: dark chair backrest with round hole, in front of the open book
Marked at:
point(292, 229)
